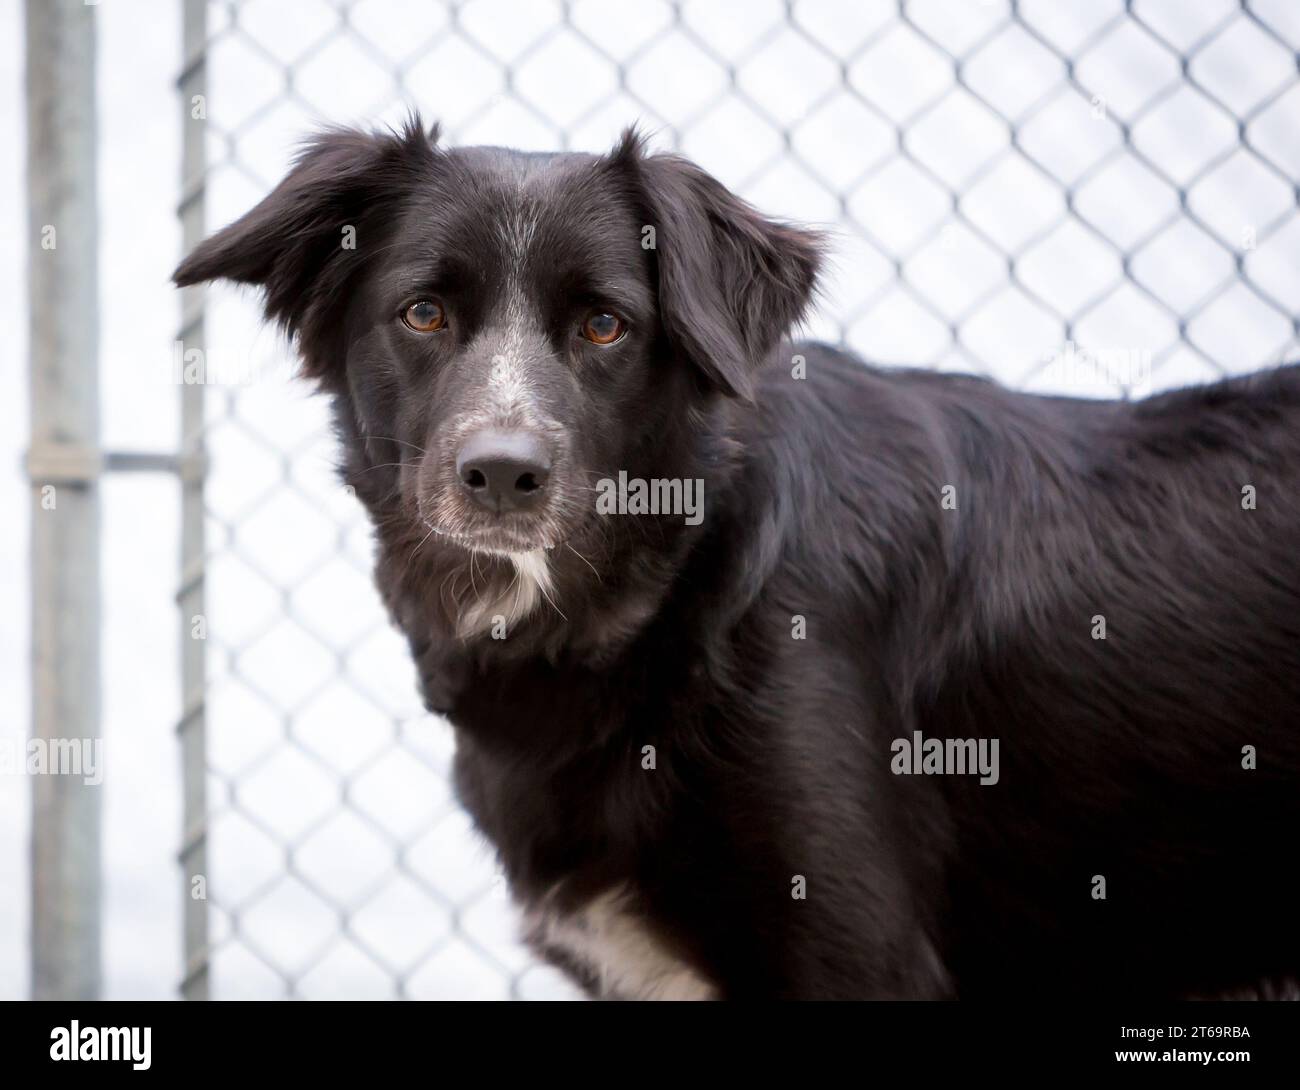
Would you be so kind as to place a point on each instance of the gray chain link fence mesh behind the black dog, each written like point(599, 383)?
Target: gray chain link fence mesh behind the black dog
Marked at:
point(1085, 197)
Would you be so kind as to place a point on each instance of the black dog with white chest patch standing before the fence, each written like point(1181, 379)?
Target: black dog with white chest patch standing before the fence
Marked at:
point(921, 687)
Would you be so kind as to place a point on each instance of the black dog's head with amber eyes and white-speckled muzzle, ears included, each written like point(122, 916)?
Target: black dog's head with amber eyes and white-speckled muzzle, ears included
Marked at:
point(504, 330)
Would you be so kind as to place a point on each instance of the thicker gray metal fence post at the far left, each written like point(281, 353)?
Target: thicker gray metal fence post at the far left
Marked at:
point(64, 465)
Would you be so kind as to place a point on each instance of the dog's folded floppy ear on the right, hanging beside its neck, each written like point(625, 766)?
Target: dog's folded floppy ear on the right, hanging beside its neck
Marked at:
point(731, 282)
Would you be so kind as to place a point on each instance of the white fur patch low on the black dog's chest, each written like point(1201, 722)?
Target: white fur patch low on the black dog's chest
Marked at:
point(609, 946)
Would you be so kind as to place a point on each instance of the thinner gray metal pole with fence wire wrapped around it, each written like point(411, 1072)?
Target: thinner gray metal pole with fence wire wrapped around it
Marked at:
point(190, 596)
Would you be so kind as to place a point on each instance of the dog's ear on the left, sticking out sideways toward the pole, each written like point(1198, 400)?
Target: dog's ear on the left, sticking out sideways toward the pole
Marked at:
point(296, 245)
